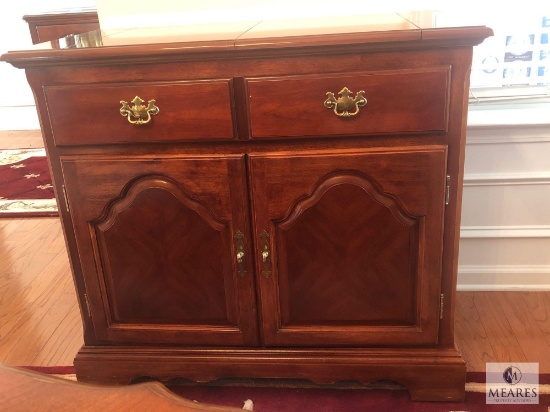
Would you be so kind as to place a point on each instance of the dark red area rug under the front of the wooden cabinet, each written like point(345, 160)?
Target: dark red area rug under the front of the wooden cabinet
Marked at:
point(269, 396)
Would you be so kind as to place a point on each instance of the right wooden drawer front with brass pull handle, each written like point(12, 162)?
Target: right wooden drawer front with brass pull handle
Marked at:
point(399, 101)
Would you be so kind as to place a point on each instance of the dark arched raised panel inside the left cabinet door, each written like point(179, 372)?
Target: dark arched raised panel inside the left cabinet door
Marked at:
point(148, 269)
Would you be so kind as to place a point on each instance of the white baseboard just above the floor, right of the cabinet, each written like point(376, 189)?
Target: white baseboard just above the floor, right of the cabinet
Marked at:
point(503, 278)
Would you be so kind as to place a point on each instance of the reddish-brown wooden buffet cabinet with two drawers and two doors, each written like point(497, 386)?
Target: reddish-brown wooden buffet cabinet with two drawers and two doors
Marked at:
point(271, 205)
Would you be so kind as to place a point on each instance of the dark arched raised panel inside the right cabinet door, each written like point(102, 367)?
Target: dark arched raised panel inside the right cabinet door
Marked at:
point(375, 228)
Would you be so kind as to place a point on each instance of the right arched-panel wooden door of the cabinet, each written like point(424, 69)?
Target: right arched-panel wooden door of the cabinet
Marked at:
point(349, 246)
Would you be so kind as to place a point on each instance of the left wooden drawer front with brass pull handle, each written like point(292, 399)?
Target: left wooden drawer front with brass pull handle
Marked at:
point(90, 114)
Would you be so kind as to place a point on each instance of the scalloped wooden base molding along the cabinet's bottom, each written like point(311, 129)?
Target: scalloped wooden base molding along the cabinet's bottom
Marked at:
point(428, 374)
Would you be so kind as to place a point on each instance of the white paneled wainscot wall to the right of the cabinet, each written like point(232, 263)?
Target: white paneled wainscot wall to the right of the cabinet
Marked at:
point(505, 231)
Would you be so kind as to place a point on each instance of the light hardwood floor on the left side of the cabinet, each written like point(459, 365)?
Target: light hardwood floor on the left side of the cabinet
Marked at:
point(39, 317)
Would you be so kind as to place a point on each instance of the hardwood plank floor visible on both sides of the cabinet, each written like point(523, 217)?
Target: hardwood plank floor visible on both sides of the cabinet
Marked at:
point(40, 320)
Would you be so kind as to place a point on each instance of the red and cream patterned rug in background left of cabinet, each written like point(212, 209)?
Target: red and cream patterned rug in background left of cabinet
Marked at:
point(25, 184)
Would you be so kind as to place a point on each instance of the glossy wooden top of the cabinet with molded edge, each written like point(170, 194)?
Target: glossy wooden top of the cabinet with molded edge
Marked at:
point(367, 30)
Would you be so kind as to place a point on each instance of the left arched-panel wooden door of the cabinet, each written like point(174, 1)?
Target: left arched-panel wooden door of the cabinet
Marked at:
point(158, 240)
